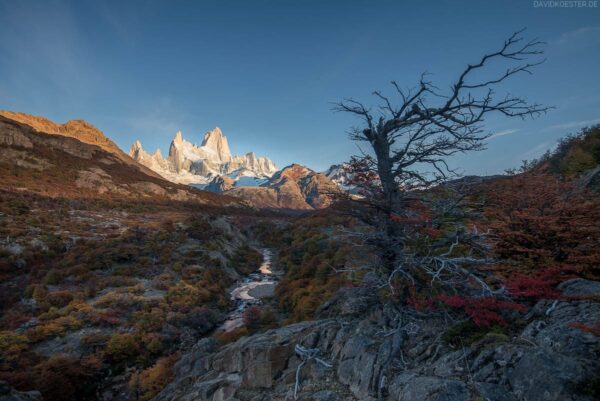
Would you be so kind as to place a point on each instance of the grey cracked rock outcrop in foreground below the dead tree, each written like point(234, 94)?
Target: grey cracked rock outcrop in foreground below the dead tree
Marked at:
point(377, 357)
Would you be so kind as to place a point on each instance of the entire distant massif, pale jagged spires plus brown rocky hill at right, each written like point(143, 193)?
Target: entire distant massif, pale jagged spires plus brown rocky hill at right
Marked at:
point(254, 179)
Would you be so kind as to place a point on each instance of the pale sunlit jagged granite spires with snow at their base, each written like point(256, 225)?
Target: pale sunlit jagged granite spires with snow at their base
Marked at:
point(187, 163)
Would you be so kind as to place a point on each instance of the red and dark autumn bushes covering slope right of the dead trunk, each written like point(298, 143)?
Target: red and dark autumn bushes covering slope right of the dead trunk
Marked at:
point(517, 236)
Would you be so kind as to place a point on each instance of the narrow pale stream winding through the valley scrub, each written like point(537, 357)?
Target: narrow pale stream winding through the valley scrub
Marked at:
point(249, 291)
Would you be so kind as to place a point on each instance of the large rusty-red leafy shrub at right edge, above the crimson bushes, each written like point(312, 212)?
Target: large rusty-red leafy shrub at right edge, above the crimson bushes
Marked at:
point(543, 226)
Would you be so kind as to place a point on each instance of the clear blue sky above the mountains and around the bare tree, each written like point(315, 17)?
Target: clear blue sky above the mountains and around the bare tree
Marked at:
point(266, 72)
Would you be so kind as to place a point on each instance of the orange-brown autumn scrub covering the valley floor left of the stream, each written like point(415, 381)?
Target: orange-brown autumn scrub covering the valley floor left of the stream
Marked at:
point(92, 290)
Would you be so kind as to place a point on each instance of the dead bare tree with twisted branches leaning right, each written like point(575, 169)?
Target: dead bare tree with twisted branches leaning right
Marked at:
point(411, 136)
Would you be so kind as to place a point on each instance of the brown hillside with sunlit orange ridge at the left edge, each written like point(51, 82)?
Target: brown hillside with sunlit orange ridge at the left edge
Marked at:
point(75, 160)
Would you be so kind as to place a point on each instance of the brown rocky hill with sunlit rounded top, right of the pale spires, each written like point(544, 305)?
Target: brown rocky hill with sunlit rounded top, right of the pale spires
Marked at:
point(294, 187)
